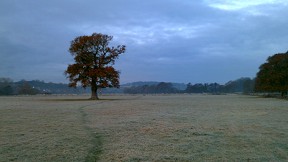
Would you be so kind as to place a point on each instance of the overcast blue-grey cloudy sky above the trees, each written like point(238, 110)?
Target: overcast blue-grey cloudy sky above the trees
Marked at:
point(167, 40)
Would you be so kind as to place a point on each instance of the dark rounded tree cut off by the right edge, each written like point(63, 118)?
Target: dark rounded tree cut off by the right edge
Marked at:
point(273, 74)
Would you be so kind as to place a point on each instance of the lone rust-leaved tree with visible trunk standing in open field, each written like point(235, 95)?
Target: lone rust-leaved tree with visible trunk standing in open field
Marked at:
point(93, 62)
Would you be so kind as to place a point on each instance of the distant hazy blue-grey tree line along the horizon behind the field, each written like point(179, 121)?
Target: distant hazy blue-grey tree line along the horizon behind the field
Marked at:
point(23, 87)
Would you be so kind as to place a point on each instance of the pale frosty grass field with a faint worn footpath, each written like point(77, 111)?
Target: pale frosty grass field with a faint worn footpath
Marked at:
point(143, 128)
